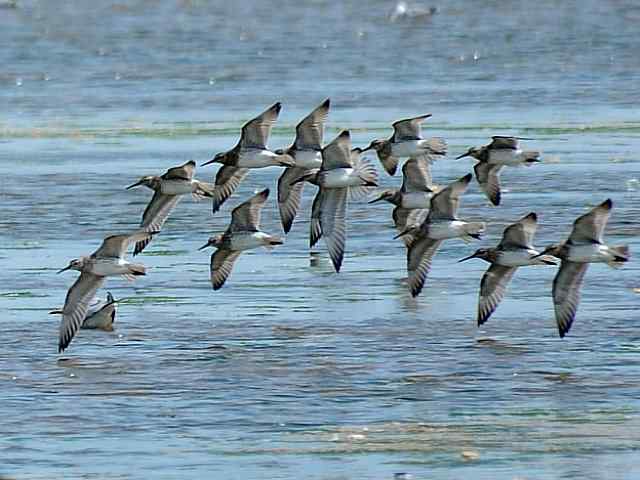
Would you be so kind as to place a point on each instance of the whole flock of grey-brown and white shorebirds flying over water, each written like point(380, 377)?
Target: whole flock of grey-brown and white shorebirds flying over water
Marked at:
point(425, 214)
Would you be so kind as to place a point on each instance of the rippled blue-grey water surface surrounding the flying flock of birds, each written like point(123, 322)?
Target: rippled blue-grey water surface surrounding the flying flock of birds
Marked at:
point(291, 370)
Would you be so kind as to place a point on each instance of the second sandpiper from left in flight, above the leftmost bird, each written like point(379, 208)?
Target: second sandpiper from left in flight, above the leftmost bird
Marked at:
point(169, 189)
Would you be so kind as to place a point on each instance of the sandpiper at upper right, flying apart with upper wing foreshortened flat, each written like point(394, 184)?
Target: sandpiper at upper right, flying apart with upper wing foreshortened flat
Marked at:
point(501, 152)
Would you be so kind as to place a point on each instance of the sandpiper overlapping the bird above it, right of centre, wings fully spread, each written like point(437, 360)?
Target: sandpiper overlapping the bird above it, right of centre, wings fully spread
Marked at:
point(441, 223)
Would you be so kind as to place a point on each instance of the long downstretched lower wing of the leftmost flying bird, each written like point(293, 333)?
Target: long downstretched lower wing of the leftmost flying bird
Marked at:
point(75, 306)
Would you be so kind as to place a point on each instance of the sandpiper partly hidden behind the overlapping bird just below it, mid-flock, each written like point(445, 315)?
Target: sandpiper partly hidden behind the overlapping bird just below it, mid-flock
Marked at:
point(413, 198)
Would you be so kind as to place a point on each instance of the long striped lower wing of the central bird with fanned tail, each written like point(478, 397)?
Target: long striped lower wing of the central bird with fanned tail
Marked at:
point(333, 212)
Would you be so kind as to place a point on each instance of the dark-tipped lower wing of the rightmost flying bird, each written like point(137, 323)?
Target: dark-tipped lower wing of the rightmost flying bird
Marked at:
point(566, 293)
